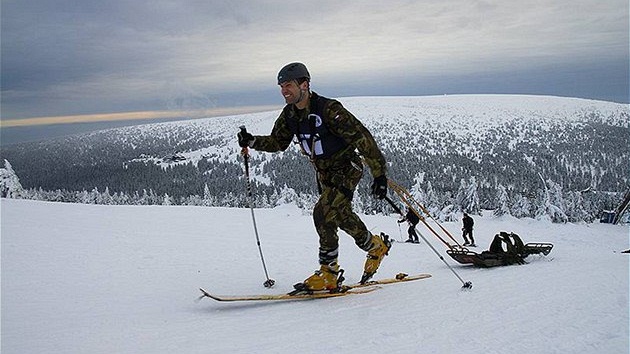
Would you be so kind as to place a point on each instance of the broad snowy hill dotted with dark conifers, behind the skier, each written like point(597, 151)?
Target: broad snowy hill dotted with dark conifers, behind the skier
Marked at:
point(434, 145)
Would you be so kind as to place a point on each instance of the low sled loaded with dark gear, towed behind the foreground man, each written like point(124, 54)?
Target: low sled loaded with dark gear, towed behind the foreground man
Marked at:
point(514, 252)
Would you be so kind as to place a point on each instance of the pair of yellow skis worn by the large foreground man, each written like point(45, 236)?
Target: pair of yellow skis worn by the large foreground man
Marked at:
point(351, 289)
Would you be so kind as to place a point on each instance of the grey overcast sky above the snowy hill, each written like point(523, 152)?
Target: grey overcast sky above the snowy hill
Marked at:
point(67, 57)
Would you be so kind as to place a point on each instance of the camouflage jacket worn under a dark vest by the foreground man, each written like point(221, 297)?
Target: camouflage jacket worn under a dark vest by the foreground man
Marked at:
point(339, 122)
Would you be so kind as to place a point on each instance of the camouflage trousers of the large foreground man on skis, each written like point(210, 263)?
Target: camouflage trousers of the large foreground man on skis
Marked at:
point(333, 211)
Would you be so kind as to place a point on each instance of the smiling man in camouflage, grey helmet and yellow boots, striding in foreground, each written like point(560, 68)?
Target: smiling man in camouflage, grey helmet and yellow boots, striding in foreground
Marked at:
point(329, 135)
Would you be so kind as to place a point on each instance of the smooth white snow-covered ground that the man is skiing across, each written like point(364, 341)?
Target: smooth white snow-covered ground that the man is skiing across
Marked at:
point(124, 279)
